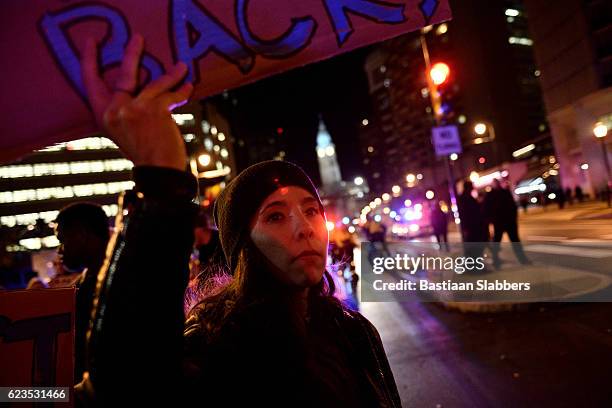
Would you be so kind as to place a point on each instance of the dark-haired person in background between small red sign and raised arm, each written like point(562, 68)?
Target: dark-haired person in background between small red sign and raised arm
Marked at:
point(83, 233)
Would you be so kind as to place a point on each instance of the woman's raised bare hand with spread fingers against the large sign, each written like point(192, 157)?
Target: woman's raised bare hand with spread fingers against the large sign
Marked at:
point(139, 123)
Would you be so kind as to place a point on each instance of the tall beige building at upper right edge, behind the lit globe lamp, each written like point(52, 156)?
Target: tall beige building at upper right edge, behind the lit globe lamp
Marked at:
point(573, 47)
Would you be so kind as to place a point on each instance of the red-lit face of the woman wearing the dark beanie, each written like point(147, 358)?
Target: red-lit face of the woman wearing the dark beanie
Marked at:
point(290, 230)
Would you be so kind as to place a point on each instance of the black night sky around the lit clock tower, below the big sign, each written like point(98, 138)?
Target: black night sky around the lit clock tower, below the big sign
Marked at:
point(335, 88)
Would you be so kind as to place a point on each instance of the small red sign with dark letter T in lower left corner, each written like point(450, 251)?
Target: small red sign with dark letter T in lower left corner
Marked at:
point(37, 338)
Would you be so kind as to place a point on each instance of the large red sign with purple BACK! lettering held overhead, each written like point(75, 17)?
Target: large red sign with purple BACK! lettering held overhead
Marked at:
point(225, 44)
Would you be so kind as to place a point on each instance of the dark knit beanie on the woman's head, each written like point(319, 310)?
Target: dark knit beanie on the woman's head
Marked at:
point(238, 202)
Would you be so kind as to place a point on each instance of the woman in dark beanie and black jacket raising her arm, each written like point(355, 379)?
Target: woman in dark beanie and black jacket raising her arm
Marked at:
point(271, 336)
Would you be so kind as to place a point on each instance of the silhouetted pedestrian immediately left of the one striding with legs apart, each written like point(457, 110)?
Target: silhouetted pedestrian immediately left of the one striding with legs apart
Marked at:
point(473, 226)
